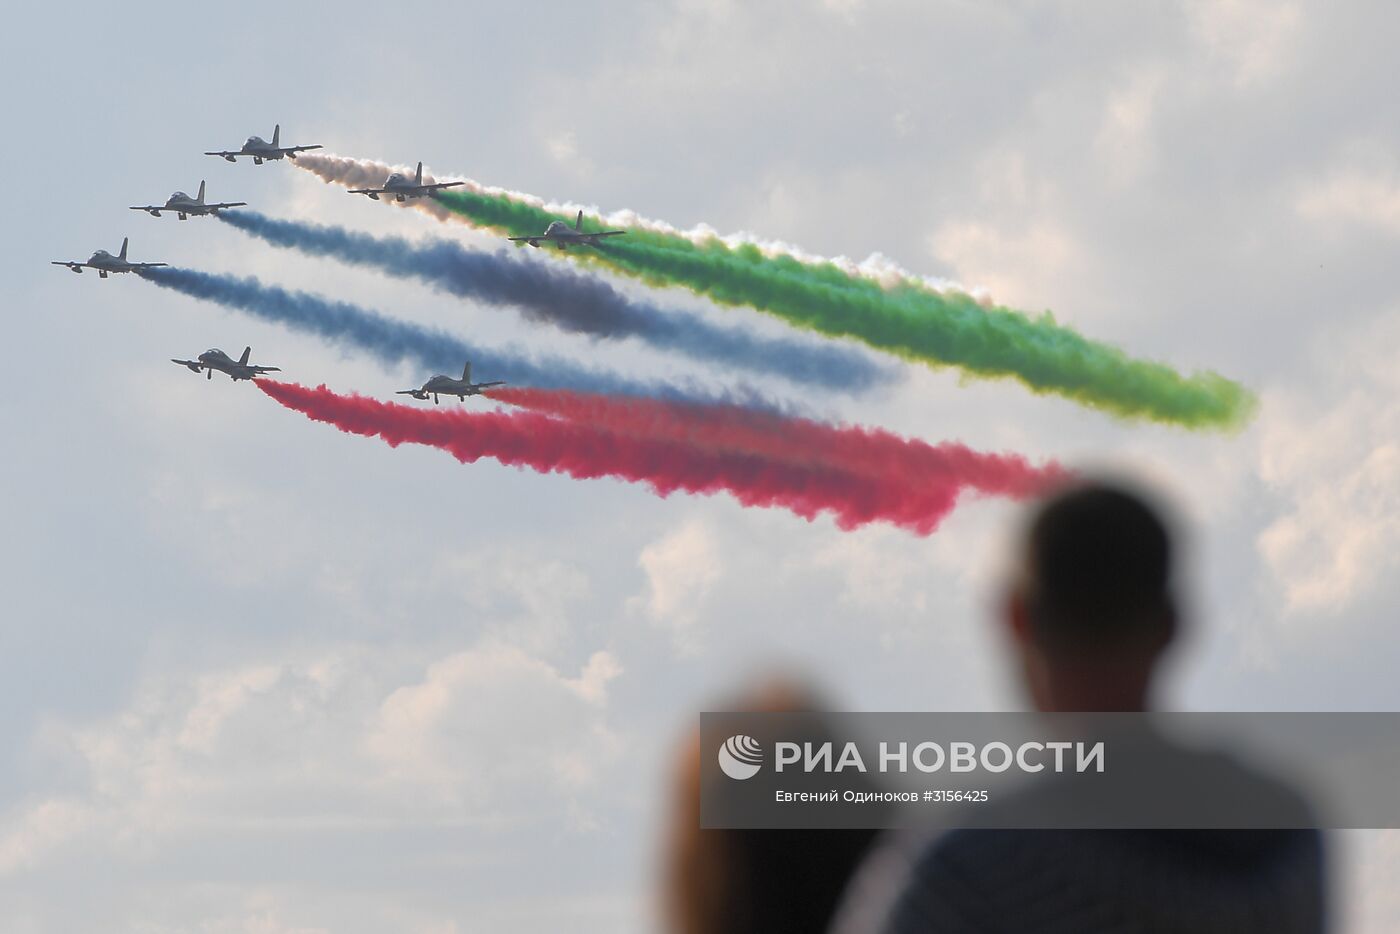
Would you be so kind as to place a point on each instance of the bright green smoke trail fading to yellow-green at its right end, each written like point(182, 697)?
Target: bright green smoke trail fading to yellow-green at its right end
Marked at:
point(911, 321)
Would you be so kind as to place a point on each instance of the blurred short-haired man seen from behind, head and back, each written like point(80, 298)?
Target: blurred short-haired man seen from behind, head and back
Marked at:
point(1090, 614)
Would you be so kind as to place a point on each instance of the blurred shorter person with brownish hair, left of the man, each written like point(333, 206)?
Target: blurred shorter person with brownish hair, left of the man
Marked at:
point(752, 881)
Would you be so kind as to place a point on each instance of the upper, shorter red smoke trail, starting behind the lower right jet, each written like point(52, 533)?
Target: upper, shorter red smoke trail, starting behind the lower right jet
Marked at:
point(869, 452)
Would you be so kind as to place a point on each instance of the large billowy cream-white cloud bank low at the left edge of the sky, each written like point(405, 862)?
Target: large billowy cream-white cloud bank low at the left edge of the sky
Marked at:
point(337, 741)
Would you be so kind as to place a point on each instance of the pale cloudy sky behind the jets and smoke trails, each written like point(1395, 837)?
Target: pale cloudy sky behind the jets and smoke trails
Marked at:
point(264, 677)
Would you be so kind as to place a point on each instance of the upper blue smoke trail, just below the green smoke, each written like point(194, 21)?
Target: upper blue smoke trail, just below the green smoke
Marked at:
point(573, 302)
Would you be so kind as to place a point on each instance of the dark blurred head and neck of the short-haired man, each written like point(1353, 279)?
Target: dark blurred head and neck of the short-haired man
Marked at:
point(1091, 610)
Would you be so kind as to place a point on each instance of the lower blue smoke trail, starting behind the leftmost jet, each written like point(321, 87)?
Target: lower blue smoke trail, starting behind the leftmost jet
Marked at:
point(393, 342)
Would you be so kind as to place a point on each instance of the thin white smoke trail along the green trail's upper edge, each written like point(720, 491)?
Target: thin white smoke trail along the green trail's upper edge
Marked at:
point(878, 268)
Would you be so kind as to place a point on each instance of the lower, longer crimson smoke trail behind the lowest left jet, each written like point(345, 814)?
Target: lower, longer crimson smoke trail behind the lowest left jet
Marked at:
point(666, 466)
